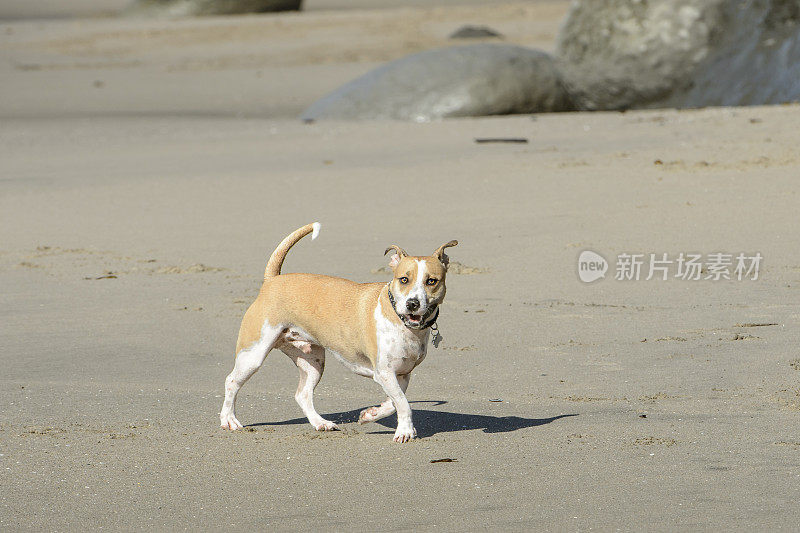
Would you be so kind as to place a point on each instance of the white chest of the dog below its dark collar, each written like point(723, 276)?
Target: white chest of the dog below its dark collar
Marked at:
point(400, 349)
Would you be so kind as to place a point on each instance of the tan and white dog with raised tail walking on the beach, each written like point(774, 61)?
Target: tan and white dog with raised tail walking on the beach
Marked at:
point(378, 330)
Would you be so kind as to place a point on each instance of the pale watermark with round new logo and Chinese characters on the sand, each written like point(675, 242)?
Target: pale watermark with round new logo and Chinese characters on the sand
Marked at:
point(662, 266)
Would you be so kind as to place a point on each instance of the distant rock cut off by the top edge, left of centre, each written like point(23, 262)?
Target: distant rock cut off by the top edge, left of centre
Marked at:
point(188, 8)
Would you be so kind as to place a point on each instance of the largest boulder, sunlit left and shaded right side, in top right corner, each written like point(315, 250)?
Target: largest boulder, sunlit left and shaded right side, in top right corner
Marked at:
point(617, 54)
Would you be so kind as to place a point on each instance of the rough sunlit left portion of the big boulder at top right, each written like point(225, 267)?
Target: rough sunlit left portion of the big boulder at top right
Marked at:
point(616, 54)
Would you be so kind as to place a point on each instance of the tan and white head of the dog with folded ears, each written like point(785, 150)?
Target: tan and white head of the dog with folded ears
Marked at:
point(417, 288)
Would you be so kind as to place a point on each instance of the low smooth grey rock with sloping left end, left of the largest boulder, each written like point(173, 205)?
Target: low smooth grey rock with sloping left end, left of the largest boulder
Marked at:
point(461, 81)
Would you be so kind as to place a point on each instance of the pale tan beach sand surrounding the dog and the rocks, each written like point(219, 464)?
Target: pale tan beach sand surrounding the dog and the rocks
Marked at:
point(149, 168)
